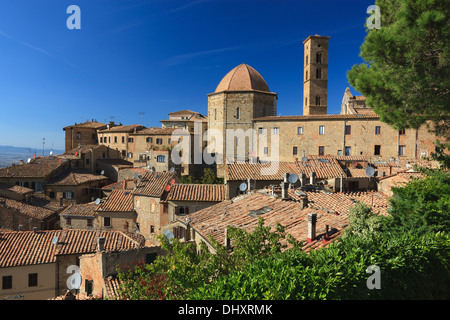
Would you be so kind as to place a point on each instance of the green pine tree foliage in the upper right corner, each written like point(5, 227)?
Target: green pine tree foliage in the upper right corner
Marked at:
point(405, 77)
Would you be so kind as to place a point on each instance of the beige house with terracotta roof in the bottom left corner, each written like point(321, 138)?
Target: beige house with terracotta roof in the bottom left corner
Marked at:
point(32, 274)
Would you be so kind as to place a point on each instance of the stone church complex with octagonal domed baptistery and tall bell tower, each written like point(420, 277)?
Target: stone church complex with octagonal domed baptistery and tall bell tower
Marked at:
point(242, 114)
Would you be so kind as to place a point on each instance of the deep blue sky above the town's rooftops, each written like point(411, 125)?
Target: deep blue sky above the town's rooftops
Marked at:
point(134, 61)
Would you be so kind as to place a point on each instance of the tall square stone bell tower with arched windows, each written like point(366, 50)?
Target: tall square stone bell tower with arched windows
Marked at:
point(315, 75)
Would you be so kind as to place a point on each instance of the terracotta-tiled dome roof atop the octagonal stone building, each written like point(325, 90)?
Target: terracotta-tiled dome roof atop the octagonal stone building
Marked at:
point(243, 78)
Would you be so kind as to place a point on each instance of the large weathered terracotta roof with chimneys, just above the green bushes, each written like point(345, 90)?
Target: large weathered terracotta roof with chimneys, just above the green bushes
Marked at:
point(331, 209)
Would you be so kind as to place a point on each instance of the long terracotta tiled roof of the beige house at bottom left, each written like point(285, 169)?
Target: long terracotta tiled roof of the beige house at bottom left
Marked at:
point(19, 248)
